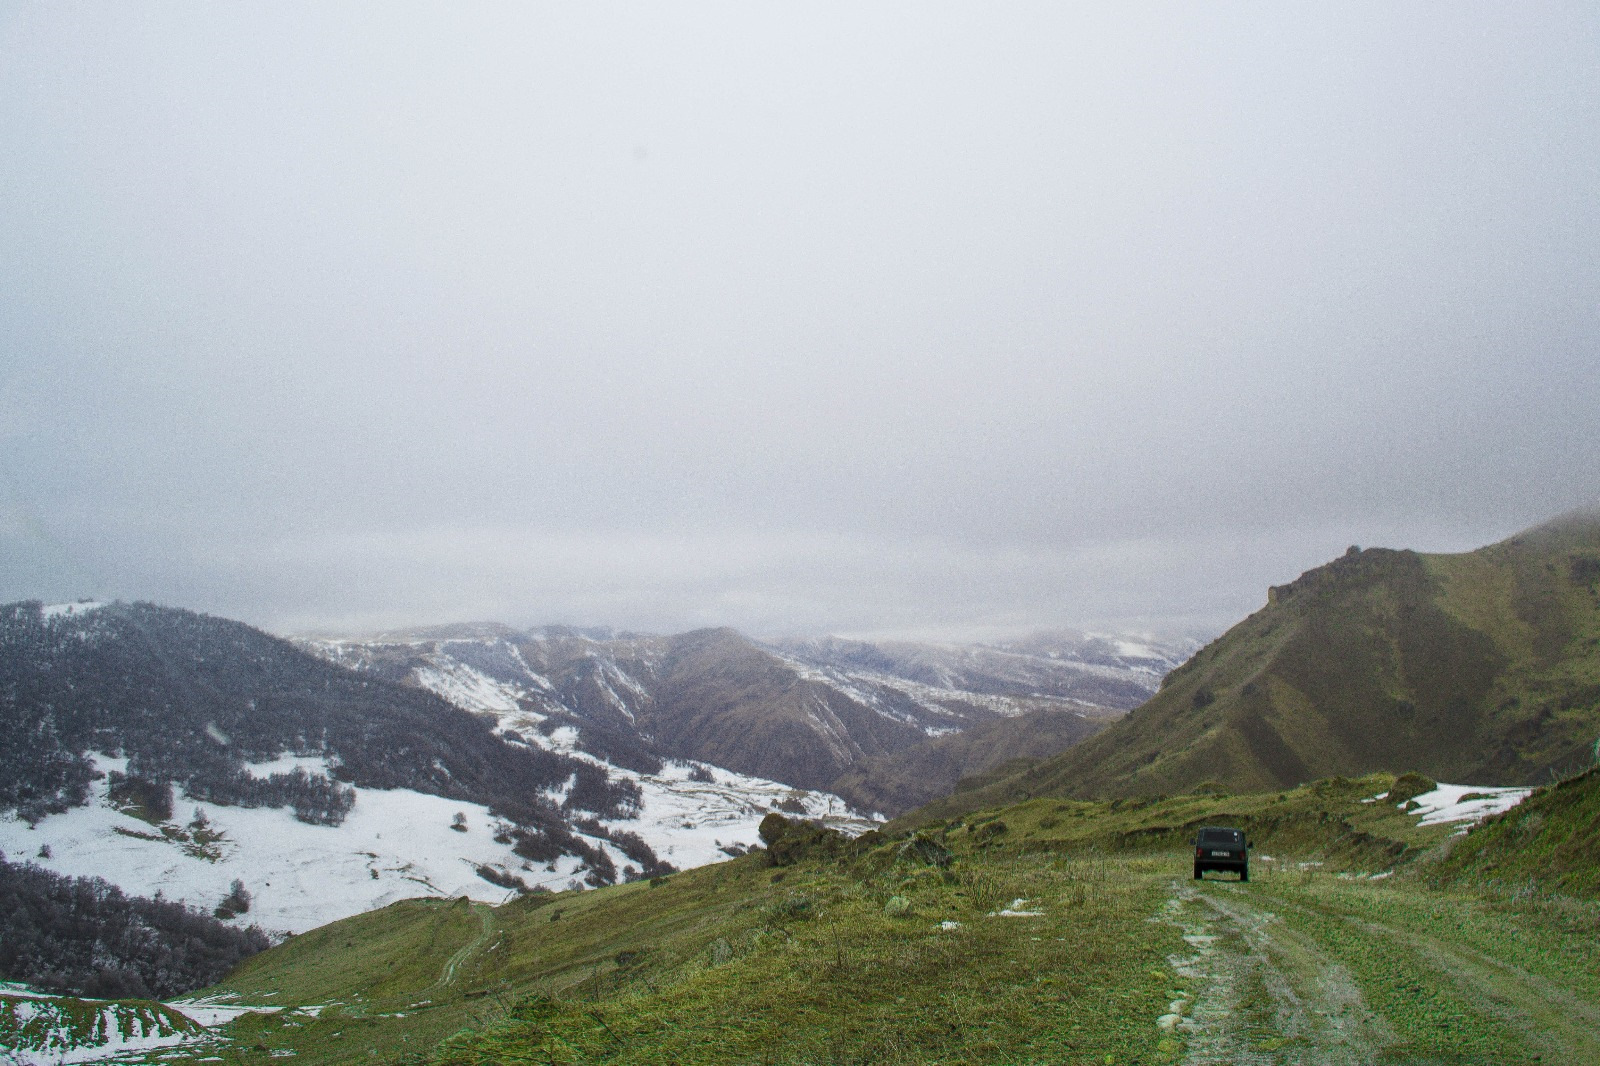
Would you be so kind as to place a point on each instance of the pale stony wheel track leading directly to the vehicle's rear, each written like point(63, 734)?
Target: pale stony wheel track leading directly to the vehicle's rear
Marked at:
point(1265, 995)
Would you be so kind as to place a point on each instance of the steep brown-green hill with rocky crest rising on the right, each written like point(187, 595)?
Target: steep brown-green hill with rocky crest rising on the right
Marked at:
point(1471, 668)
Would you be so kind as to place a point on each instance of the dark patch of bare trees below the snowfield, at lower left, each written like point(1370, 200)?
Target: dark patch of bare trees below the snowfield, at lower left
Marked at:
point(84, 937)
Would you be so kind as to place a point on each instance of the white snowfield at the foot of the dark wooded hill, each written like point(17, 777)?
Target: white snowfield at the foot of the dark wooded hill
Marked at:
point(393, 844)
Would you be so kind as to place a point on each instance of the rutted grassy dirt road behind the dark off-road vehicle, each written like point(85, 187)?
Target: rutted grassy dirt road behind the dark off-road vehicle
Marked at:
point(1287, 982)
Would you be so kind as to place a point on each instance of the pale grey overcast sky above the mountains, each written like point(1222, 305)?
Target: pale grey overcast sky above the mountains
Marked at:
point(940, 319)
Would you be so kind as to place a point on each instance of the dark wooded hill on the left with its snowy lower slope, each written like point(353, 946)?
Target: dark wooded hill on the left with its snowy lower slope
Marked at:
point(180, 755)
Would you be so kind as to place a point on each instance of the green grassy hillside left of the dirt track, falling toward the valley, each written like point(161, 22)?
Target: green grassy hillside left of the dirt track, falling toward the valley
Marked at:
point(737, 964)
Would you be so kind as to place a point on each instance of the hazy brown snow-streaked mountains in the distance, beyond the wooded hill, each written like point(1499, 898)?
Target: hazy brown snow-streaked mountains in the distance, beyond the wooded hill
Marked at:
point(873, 723)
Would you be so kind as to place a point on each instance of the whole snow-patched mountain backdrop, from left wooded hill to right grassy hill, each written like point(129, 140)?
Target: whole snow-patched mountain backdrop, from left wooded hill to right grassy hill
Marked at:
point(177, 753)
